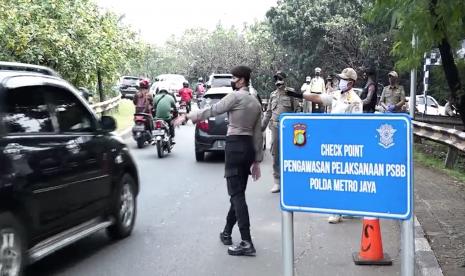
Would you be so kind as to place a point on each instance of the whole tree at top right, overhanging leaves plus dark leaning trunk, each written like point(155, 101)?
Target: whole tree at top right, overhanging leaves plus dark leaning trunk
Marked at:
point(436, 23)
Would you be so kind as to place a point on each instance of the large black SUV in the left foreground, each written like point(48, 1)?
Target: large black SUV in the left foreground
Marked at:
point(63, 174)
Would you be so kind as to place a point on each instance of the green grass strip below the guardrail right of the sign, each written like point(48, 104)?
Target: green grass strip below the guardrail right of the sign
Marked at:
point(433, 156)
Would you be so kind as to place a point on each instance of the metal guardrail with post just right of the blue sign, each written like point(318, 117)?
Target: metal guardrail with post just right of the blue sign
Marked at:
point(453, 138)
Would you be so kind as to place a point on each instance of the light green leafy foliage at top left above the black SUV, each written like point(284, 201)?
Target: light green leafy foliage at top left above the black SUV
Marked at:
point(72, 37)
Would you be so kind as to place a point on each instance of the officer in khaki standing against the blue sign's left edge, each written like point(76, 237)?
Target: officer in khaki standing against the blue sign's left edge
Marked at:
point(278, 103)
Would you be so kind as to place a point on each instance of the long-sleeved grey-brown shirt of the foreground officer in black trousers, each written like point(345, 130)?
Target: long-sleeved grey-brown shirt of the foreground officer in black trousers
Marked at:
point(244, 115)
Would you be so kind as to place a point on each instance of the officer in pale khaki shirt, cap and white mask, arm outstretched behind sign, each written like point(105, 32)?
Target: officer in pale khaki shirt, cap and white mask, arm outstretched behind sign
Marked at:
point(345, 100)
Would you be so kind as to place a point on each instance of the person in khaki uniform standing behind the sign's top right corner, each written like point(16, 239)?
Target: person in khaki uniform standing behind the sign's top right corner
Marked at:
point(393, 96)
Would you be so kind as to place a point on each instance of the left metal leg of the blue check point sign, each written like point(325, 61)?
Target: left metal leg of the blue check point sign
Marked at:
point(288, 242)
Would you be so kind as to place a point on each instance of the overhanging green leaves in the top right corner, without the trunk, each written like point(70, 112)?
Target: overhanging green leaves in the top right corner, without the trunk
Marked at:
point(416, 16)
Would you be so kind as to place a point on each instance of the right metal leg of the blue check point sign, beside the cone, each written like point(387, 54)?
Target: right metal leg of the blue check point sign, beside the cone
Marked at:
point(407, 248)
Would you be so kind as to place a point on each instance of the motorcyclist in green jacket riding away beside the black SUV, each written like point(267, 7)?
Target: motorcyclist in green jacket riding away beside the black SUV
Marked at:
point(164, 104)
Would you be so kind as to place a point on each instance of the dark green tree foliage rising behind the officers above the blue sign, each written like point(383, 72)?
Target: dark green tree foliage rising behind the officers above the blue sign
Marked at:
point(330, 34)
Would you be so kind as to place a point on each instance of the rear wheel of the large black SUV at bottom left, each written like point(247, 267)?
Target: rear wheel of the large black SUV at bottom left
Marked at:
point(12, 246)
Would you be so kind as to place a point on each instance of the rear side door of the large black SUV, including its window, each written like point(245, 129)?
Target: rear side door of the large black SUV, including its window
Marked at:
point(35, 158)
